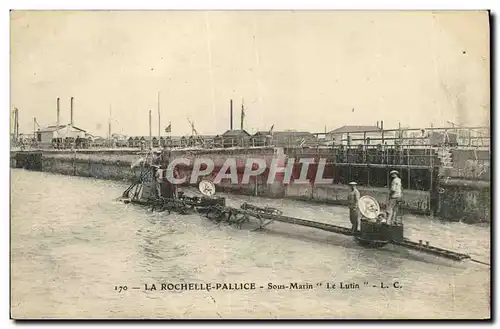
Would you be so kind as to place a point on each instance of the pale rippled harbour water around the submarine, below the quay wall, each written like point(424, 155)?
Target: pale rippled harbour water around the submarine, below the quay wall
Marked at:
point(72, 243)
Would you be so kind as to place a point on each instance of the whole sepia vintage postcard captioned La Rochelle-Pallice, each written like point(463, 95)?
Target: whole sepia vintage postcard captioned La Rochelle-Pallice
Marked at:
point(250, 165)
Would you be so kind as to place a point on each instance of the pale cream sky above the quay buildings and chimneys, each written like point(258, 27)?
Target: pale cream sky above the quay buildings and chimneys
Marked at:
point(301, 70)
